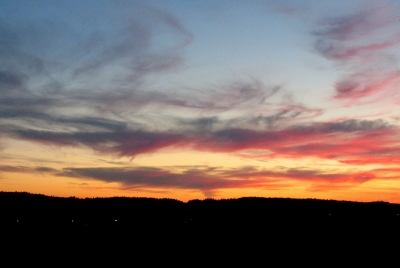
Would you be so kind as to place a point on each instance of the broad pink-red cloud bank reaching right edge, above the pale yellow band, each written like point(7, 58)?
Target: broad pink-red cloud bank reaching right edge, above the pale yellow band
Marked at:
point(344, 140)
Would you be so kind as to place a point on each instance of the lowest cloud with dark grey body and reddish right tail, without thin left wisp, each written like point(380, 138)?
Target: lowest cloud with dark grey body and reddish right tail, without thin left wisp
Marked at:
point(210, 179)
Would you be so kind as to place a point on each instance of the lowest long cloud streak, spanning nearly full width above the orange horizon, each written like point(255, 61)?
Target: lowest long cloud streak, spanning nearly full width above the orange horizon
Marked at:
point(208, 179)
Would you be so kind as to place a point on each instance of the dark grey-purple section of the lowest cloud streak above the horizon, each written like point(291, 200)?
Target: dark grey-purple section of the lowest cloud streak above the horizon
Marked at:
point(205, 179)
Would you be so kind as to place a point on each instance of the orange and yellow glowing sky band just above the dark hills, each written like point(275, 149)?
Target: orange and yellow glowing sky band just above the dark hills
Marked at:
point(269, 179)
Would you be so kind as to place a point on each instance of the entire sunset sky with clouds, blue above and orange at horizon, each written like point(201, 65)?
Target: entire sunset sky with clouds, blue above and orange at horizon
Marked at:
point(201, 99)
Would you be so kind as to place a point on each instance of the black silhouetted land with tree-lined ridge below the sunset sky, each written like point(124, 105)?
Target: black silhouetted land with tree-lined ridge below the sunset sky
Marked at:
point(127, 228)
